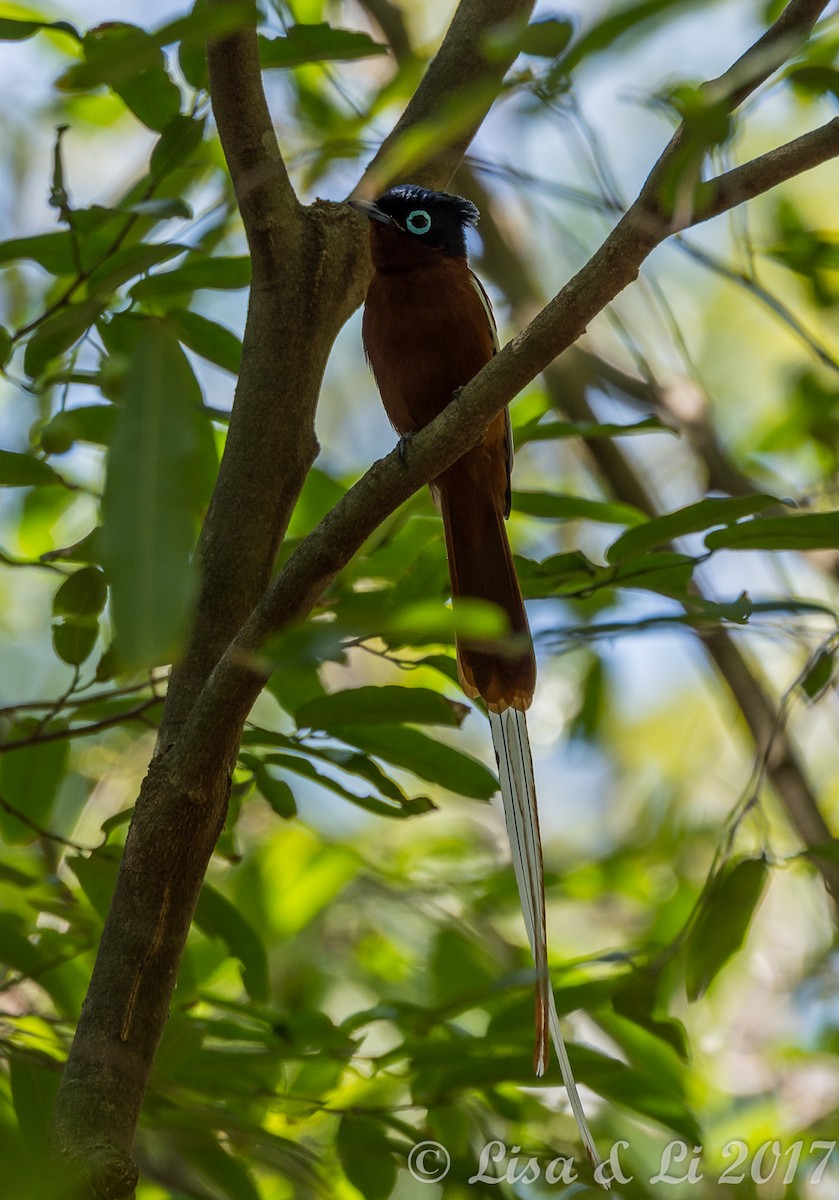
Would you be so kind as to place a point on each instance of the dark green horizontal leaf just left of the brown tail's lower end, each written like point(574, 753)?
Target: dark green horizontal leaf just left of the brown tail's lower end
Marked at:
point(381, 706)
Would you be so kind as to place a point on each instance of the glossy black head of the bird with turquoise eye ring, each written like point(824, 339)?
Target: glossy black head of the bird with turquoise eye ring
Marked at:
point(434, 220)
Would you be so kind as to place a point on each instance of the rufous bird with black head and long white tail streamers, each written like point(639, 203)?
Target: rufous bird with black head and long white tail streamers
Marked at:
point(428, 329)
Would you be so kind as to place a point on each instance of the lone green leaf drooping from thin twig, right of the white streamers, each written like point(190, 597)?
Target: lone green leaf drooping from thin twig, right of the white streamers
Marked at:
point(723, 922)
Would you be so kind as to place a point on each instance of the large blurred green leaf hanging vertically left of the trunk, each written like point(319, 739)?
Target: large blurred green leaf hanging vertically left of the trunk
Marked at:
point(152, 495)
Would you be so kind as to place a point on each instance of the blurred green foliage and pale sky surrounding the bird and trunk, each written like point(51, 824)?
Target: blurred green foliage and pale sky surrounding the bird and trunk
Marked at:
point(357, 985)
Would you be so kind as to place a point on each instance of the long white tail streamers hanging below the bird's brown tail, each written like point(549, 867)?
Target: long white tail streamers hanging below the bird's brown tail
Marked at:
point(519, 795)
